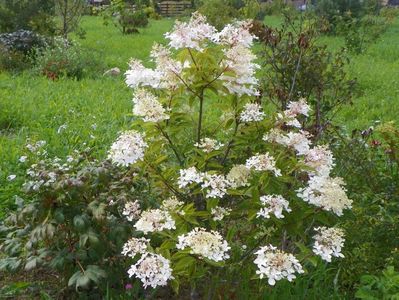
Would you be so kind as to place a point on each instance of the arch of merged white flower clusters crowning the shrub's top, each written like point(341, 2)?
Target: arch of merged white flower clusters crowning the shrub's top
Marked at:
point(238, 68)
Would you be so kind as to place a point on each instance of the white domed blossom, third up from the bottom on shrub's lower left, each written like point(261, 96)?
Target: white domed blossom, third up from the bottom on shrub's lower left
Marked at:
point(154, 220)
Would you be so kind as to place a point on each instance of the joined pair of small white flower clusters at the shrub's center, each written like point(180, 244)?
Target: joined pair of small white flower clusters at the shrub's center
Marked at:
point(216, 185)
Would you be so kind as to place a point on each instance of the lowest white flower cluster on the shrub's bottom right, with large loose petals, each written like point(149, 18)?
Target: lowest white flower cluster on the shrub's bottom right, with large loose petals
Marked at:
point(276, 264)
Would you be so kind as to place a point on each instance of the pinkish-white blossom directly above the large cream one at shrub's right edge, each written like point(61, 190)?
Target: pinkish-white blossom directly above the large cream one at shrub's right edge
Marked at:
point(321, 160)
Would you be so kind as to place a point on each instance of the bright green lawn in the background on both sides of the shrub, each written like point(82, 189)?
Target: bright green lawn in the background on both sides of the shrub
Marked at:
point(94, 110)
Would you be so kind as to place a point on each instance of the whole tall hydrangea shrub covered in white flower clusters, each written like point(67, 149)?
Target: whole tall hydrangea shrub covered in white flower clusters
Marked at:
point(230, 182)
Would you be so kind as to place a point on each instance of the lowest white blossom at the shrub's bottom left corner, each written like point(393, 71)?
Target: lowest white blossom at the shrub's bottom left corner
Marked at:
point(152, 269)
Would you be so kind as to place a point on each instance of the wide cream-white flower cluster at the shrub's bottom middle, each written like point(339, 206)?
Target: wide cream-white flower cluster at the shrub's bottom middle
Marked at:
point(206, 244)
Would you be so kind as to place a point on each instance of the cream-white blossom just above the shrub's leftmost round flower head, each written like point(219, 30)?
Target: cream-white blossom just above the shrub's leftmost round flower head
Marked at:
point(146, 105)
